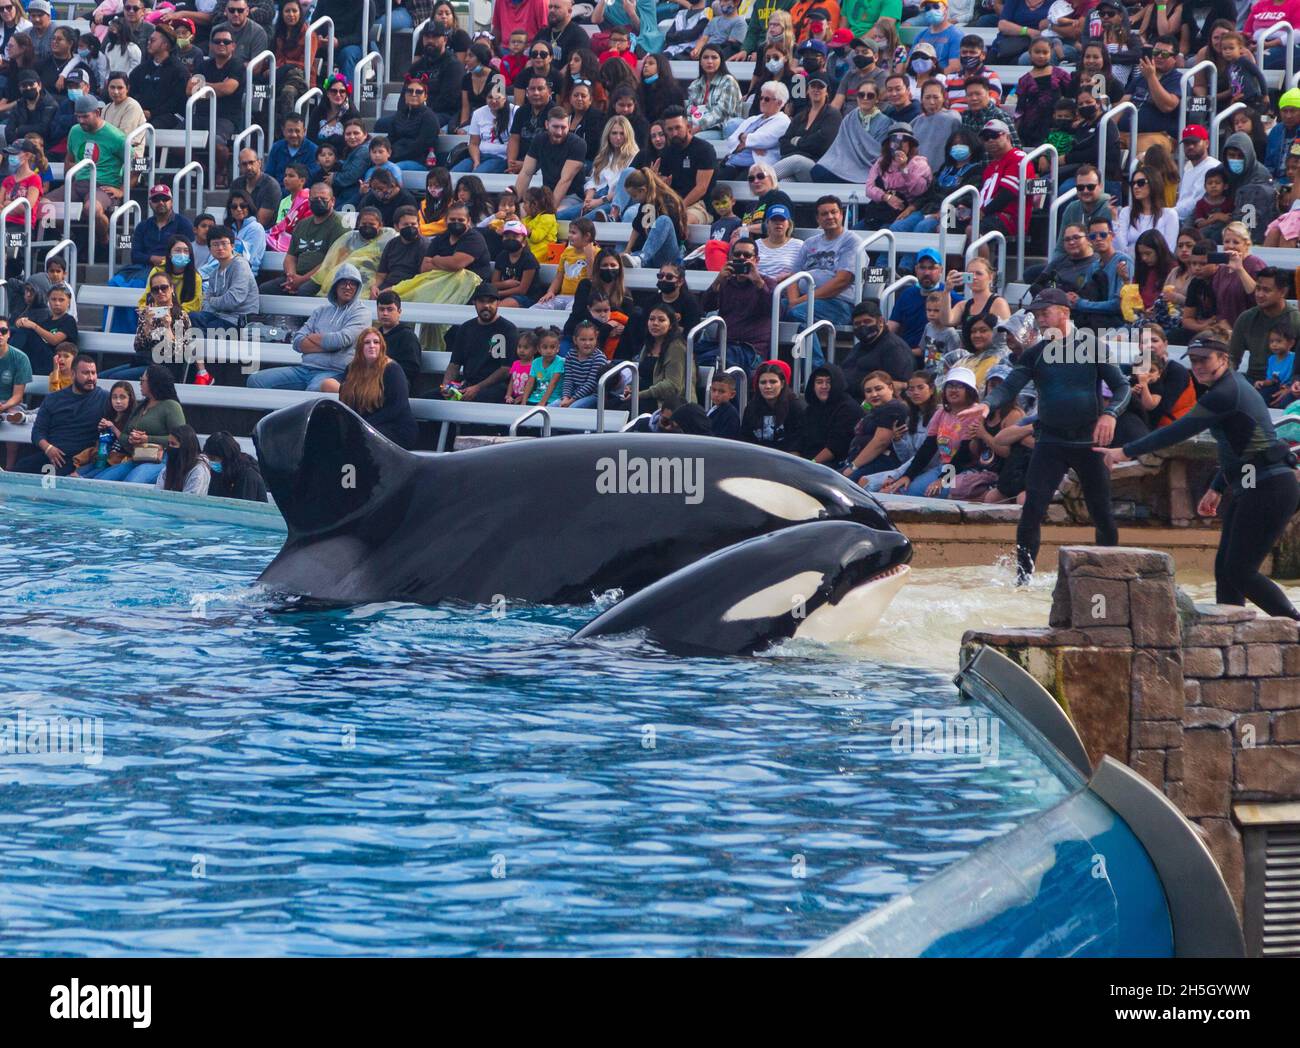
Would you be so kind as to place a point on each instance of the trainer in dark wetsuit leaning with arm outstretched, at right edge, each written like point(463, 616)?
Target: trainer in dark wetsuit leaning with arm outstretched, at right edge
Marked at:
point(1256, 470)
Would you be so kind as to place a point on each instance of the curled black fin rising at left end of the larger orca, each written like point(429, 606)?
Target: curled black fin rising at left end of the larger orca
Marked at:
point(349, 473)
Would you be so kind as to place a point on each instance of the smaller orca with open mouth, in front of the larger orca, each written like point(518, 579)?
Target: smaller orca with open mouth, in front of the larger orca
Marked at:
point(830, 581)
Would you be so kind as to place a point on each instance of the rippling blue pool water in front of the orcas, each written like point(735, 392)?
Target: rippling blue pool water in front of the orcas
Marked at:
point(408, 781)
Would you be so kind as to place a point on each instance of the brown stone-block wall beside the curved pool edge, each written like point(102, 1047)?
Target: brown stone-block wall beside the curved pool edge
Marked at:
point(1203, 701)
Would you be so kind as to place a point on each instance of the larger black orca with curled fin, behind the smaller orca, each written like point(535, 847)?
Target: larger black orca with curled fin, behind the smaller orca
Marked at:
point(551, 521)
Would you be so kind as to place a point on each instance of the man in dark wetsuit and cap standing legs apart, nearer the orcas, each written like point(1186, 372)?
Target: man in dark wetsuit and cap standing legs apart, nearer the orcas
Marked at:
point(1072, 419)
